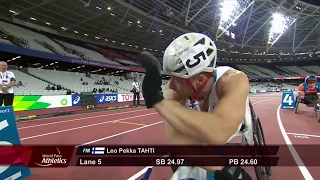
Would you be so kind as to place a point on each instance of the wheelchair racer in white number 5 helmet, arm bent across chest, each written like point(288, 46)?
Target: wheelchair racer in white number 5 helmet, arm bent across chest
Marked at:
point(220, 93)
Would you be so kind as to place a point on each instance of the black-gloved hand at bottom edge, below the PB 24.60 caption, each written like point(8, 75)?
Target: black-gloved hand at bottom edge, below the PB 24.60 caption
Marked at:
point(231, 173)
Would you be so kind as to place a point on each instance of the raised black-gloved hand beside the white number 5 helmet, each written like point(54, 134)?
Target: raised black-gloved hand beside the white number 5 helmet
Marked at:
point(151, 85)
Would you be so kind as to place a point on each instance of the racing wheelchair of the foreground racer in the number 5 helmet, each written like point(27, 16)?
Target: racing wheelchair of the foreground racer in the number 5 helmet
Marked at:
point(251, 133)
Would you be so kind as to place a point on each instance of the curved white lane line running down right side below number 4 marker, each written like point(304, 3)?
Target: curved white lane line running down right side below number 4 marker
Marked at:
point(304, 171)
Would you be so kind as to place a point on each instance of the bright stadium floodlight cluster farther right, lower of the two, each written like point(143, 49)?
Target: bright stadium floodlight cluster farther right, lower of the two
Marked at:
point(279, 24)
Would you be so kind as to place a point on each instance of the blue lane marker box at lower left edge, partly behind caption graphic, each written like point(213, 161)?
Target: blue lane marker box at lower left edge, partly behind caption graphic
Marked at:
point(9, 136)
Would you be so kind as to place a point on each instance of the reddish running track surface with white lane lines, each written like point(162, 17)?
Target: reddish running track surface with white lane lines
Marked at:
point(144, 126)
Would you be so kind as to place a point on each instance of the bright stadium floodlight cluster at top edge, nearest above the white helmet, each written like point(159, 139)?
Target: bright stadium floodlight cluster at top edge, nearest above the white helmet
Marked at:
point(231, 10)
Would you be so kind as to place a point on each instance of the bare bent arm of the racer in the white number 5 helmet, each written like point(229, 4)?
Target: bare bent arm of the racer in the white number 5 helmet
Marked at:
point(216, 127)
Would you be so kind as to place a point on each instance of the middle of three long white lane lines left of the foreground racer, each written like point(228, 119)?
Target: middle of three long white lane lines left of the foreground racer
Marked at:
point(81, 127)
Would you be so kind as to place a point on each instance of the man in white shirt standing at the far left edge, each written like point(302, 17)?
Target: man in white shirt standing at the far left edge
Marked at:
point(7, 82)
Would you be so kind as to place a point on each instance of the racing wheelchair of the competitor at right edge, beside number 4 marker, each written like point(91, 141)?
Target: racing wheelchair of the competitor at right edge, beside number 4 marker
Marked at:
point(310, 100)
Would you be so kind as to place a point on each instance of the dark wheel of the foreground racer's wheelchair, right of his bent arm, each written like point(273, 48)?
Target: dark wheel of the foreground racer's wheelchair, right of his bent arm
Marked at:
point(262, 172)
